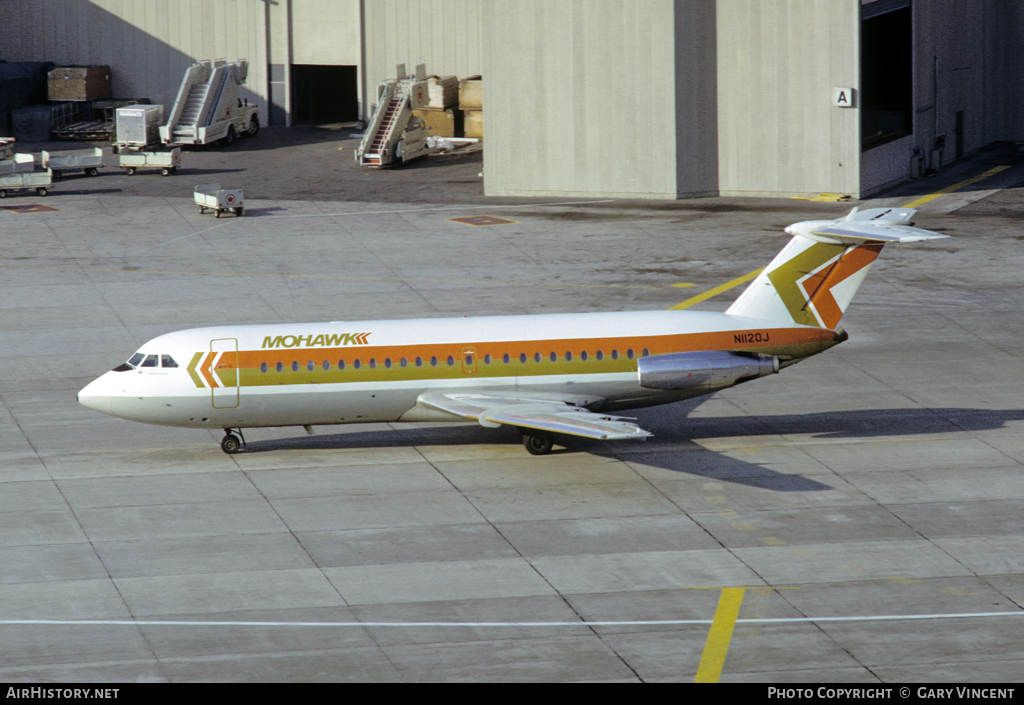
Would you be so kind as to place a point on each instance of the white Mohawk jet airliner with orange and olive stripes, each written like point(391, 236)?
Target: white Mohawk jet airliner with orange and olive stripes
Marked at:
point(547, 375)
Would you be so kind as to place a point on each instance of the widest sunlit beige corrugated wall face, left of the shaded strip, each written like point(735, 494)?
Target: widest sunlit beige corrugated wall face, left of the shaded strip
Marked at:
point(580, 99)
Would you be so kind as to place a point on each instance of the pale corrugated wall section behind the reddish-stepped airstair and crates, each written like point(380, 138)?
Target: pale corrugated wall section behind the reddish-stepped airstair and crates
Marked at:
point(445, 35)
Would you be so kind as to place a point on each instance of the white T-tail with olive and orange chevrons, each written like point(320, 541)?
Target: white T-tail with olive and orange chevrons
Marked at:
point(813, 281)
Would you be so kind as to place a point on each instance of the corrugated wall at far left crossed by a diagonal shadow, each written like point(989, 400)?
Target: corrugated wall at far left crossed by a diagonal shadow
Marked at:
point(148, 44)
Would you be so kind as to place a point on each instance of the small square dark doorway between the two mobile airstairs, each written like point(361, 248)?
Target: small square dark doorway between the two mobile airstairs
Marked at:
point(324, 95)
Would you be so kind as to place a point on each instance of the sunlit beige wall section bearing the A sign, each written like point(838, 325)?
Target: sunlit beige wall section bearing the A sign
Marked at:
point(778, 130)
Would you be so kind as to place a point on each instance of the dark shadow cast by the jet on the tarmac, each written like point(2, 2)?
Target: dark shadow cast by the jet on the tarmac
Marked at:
point(674, 447)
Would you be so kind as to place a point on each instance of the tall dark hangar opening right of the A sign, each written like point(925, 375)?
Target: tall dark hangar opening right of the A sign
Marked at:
point(886, 72)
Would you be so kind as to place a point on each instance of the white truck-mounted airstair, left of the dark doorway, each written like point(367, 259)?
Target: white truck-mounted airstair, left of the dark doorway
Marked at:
point(208, 108)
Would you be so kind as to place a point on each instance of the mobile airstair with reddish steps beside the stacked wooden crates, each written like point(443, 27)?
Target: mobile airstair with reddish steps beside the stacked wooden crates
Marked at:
point(394, 136)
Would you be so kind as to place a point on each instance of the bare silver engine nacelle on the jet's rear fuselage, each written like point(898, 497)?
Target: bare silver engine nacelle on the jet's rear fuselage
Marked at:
point(703, 372)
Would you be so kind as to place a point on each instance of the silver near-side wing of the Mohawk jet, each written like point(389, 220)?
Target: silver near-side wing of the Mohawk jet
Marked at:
point(541, 412)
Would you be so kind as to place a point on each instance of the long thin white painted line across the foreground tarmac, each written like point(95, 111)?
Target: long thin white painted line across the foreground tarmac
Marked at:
point(663, 623)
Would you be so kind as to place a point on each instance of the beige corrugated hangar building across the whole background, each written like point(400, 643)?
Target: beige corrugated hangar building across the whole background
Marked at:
point(660, 99)
